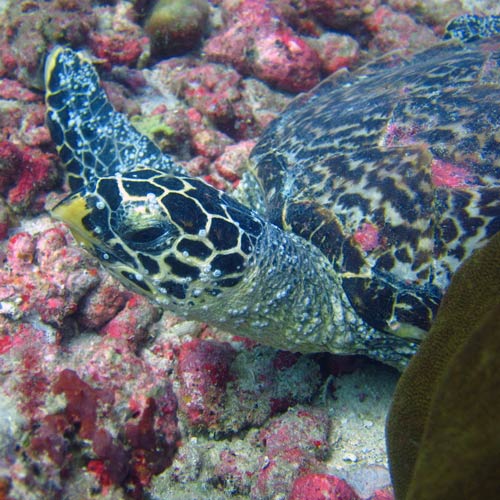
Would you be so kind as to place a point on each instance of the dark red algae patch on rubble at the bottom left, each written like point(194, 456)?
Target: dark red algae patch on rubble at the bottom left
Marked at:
point(129, 460)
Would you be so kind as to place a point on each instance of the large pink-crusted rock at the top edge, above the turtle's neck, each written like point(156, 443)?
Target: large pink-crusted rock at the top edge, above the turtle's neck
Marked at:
point(278, 56)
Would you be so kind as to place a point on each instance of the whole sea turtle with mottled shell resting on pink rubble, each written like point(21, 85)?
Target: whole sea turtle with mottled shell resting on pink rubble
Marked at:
point(360, 202)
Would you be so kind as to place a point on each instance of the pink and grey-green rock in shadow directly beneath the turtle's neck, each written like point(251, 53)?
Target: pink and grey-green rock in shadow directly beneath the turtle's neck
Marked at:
point(225, 391)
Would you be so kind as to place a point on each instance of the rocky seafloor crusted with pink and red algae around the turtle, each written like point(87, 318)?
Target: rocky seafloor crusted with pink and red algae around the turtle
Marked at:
point(103, 395)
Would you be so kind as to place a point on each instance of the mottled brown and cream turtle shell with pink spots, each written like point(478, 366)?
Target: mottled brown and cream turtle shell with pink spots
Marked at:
point(393, 171)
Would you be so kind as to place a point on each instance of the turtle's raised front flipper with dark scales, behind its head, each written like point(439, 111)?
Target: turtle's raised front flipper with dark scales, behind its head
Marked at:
point(93, 140)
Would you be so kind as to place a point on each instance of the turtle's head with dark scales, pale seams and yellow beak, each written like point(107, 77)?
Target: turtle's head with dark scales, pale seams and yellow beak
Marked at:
point(174, 239)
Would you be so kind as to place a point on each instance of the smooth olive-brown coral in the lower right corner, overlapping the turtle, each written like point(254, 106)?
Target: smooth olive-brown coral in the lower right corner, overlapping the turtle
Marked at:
point(442, 430)
